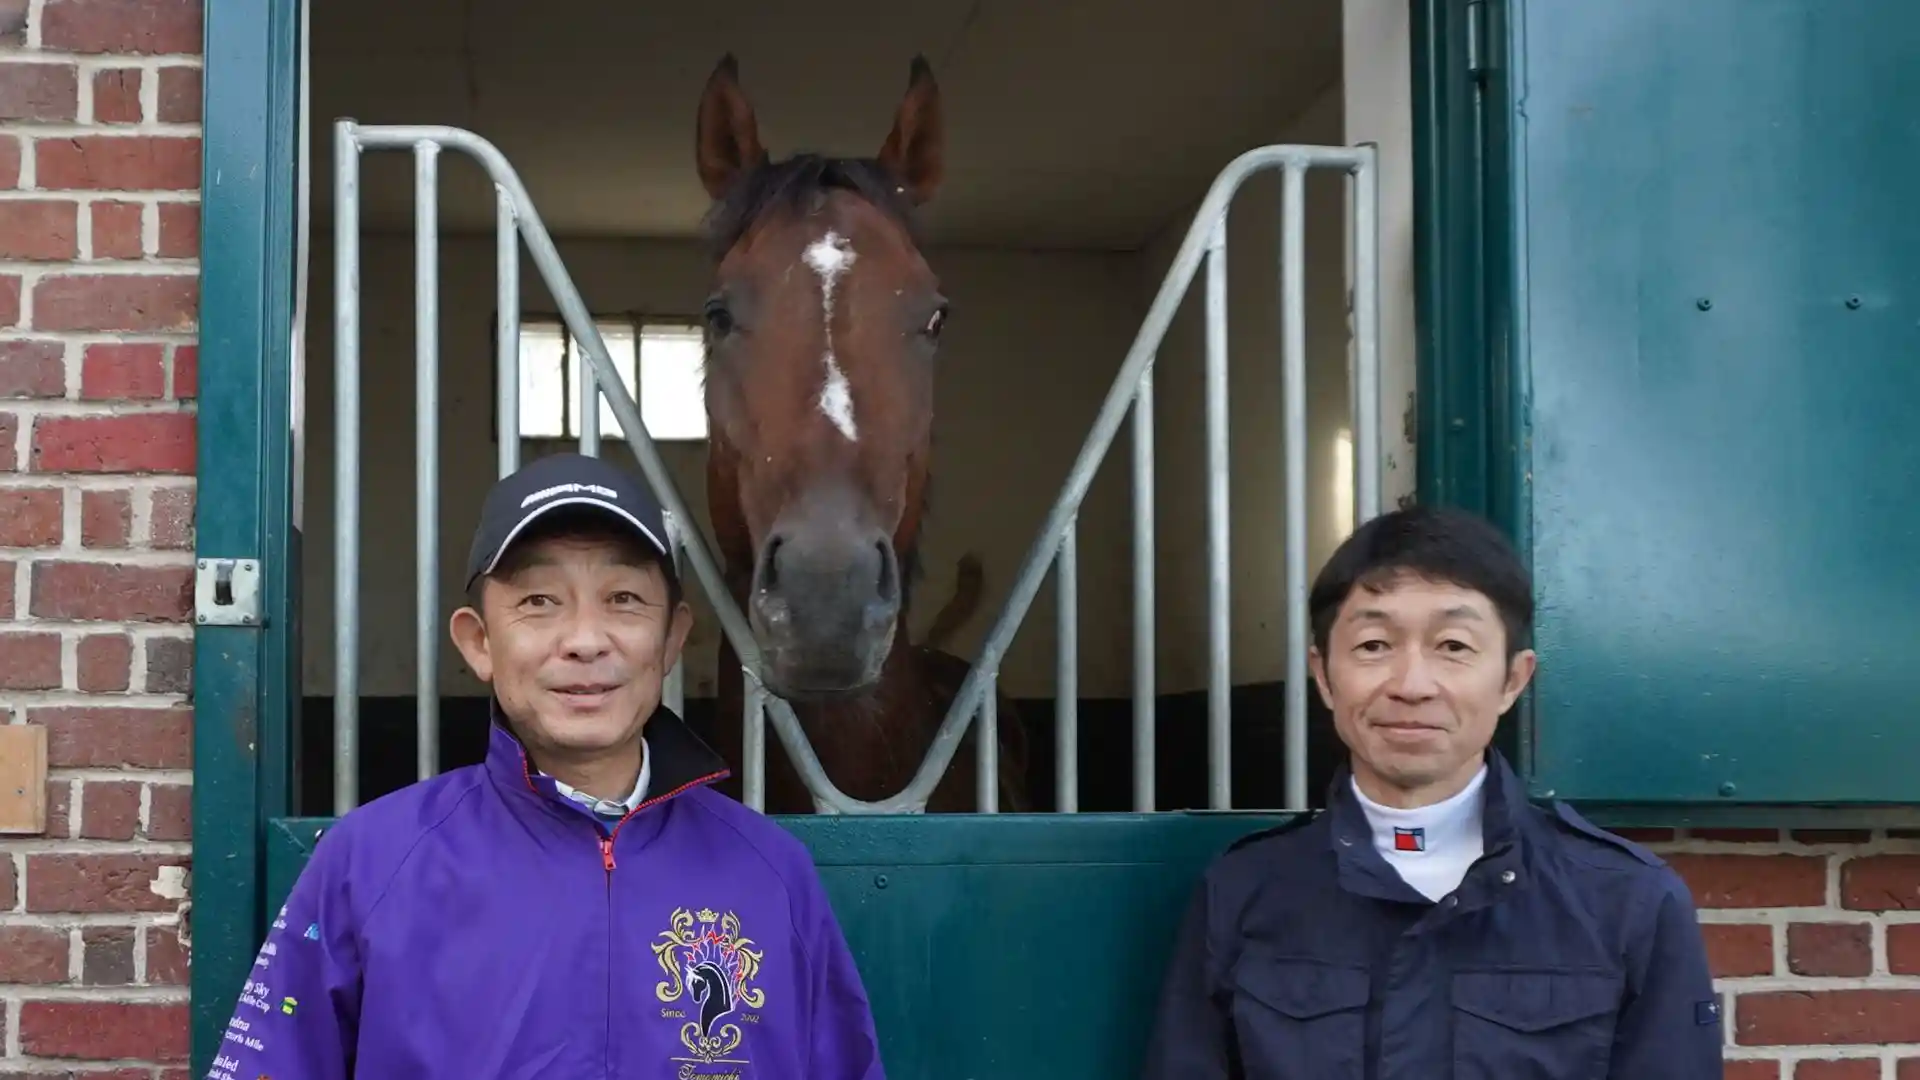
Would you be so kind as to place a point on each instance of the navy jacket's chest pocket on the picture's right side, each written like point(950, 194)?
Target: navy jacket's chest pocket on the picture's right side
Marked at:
point(1533, 1025)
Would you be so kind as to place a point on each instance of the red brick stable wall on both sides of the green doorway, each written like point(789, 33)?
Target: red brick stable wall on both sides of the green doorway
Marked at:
point(1815, 937)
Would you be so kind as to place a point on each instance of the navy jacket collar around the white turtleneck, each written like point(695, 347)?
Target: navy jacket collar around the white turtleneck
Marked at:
point(1500, 870)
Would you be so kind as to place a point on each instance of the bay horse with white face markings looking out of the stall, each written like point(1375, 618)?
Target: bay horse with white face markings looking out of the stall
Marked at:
point(823, 331)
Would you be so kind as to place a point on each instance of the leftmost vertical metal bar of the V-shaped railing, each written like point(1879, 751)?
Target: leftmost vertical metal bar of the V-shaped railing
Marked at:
point(347, 468)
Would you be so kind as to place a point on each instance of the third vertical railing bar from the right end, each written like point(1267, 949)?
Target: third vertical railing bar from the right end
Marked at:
point(1220, 627)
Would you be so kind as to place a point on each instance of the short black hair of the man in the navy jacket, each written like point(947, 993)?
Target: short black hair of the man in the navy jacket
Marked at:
point(1435, 543)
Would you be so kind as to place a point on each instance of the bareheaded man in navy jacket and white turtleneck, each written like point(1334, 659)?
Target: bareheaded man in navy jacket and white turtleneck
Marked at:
point(1433, 923)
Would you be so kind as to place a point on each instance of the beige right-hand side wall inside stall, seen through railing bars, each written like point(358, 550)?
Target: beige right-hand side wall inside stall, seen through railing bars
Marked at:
point(1257, 476)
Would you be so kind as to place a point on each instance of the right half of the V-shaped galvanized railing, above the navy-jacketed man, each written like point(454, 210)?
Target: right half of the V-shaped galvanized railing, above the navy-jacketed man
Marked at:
point(1134, 389)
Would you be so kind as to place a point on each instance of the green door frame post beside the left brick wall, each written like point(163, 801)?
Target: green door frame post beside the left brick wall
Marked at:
point(243, 675)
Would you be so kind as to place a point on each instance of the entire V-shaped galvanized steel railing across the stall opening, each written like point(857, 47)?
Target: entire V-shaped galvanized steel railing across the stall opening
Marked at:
point(1055, 549)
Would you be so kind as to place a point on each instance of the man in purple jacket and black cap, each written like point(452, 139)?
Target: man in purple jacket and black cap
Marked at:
point(581, 904)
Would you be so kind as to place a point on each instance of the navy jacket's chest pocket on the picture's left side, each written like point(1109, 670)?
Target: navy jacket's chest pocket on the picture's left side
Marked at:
point(1297, 1019)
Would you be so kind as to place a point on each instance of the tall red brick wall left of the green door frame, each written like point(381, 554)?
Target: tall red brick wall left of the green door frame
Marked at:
point(99, 295)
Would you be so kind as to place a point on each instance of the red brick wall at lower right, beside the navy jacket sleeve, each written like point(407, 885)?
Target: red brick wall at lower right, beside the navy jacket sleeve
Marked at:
point(1815, 939)
